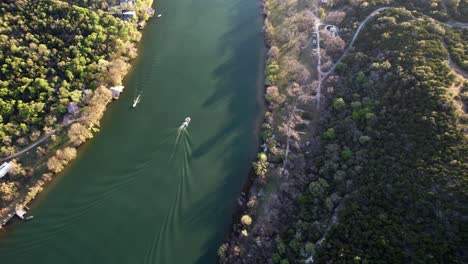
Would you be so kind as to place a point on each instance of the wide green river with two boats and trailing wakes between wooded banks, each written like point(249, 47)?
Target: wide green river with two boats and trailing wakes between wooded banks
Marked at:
point(137, 193)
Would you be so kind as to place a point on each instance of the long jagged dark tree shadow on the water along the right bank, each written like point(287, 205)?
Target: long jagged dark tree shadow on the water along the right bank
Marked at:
point(235, 79)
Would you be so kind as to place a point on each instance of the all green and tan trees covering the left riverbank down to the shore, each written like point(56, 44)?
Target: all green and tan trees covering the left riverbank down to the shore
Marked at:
point(57, 62)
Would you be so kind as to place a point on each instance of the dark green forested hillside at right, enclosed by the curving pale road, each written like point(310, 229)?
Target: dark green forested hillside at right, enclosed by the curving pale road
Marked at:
point(392, 168)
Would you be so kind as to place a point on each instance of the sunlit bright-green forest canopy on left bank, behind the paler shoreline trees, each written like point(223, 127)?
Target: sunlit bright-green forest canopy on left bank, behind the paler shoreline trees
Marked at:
point(51, 54)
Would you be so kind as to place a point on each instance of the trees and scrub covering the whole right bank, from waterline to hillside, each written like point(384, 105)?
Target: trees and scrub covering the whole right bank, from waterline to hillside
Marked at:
point(381, 178)
